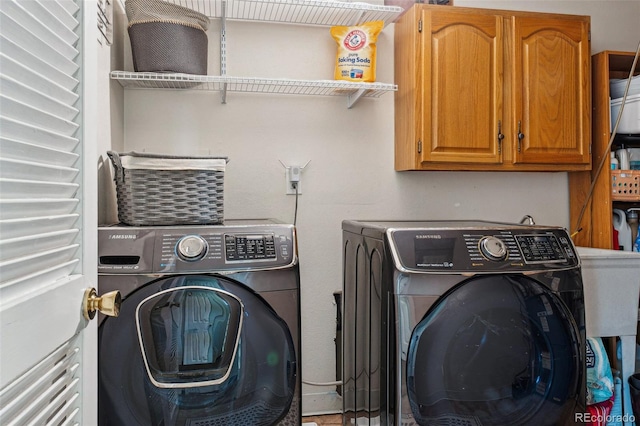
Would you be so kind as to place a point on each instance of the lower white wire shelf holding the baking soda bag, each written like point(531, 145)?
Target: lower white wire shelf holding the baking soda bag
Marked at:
point(353, 91)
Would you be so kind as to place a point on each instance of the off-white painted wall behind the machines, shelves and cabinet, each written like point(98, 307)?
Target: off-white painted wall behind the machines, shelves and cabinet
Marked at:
point(350, 174)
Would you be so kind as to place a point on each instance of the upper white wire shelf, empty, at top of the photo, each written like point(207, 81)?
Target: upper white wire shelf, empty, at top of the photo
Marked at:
point(308, 12)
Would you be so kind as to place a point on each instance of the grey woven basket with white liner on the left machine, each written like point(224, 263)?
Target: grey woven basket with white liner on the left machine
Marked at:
point(169, 190)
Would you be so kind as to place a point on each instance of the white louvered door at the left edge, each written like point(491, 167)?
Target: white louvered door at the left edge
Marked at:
point(48, 211)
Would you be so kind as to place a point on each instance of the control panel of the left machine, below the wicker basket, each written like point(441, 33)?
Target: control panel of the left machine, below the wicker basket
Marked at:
point(169, 249)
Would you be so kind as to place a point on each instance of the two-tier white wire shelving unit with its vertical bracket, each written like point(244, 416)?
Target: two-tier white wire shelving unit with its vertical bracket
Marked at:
point(308, 12)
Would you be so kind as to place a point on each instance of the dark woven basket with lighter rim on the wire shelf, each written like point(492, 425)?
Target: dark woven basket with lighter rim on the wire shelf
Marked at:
point(166, 37)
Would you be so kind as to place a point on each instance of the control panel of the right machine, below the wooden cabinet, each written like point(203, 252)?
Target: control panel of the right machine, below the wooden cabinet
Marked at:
point(482, 250)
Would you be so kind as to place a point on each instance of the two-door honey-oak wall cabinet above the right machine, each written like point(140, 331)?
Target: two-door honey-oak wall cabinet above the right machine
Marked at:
point(483, 89)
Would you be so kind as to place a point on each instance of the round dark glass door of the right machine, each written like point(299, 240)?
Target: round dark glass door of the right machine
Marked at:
point(495, 350)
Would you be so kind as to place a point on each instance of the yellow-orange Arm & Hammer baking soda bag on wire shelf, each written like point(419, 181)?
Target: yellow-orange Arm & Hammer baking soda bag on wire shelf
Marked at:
point(356, 56)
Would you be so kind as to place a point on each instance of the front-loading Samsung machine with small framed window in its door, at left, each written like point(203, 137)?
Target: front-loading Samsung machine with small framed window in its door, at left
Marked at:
point(209, 326)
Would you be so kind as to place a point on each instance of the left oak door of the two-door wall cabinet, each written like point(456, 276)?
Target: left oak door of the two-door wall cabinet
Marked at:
point(462, 102)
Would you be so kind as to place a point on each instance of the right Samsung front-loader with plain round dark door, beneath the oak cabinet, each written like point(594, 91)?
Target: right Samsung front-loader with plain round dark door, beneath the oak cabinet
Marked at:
point(463, 323)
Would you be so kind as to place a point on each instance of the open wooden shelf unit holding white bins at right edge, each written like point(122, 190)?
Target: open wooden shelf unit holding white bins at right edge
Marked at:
point(595, 229)
